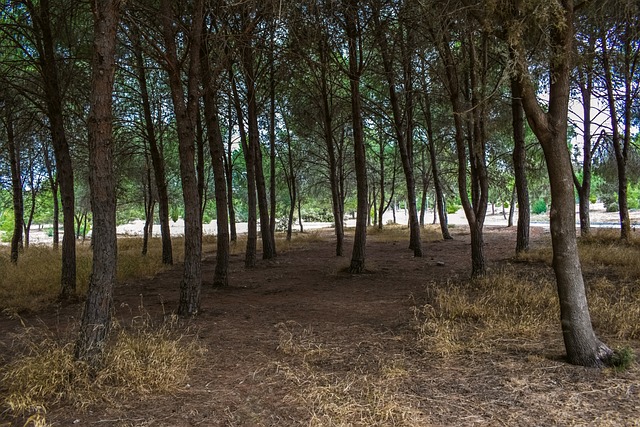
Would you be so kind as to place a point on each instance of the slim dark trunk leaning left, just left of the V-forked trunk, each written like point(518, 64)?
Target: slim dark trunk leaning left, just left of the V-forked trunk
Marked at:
point(157, 160)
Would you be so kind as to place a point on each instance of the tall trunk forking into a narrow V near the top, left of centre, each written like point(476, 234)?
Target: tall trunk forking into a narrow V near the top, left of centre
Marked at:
point(185, 112)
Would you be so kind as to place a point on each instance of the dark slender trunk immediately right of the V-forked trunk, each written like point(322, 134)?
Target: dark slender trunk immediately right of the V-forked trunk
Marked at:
point(216, 149)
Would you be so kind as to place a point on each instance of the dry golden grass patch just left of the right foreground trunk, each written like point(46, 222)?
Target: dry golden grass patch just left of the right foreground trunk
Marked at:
point(501, 309)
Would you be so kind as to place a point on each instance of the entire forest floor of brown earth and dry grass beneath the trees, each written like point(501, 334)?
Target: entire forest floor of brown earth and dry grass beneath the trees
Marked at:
point(297, 341)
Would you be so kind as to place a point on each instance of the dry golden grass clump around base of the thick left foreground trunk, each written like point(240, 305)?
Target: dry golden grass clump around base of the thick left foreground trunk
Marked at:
point(140, 360)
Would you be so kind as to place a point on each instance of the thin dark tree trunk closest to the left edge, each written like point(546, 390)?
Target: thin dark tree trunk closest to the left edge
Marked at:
point(16, 185)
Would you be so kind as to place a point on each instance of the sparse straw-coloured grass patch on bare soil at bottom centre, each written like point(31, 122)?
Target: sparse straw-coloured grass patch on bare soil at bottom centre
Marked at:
point(337, 385)
